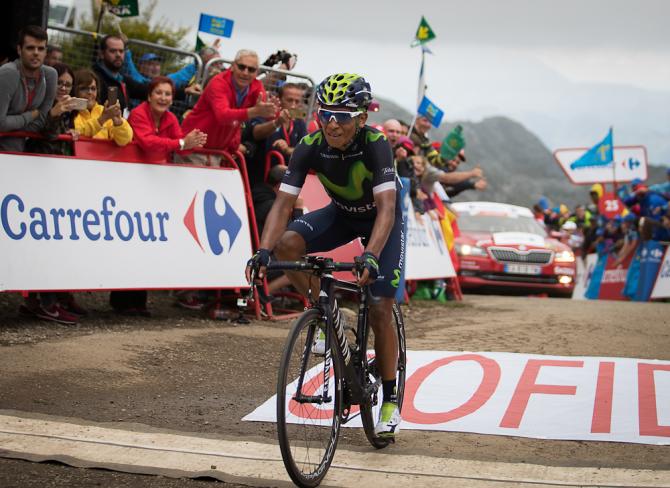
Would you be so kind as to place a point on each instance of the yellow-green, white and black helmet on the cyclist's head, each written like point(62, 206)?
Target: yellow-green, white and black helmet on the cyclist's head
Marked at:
point(344, 90)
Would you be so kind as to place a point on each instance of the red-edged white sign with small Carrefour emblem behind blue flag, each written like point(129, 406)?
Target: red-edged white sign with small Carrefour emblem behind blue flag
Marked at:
point(630, 162)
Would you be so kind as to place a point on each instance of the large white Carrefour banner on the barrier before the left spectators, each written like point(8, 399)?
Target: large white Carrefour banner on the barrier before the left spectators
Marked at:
point(70, 224)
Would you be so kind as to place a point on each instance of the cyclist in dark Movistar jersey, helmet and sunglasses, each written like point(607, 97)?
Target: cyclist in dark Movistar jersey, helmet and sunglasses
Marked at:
point(354, 163)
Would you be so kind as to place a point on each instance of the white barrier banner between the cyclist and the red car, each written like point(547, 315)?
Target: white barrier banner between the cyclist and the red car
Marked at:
point(427, 253)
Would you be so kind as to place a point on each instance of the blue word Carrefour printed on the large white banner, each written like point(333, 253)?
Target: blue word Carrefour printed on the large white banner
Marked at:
point(106, 222)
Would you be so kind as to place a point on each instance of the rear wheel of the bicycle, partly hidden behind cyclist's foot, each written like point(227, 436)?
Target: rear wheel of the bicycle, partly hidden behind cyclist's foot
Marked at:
point(370, 409)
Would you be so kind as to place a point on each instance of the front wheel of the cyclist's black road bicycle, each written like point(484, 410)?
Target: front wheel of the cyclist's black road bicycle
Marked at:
point(308, 432)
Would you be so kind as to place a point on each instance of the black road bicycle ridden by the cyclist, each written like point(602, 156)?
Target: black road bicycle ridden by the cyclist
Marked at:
point(317, 393)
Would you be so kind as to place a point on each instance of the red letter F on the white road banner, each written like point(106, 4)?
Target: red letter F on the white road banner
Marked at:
point(527, 387)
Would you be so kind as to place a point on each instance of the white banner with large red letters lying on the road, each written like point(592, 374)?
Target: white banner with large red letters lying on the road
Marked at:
point(525, 395)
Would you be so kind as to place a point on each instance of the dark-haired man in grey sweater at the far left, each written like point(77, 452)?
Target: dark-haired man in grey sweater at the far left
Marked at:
point(27, 89)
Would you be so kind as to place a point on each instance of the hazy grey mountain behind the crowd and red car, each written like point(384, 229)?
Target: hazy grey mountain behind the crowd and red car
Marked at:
point(518, 166)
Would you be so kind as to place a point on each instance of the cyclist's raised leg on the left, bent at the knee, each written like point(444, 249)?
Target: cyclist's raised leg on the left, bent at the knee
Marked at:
point(318, 231)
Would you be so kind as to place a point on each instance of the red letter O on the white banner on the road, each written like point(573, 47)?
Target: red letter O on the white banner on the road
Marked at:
point(487, 386)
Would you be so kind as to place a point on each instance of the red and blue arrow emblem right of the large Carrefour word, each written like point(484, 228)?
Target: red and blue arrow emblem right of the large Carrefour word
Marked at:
point(215, 221)
